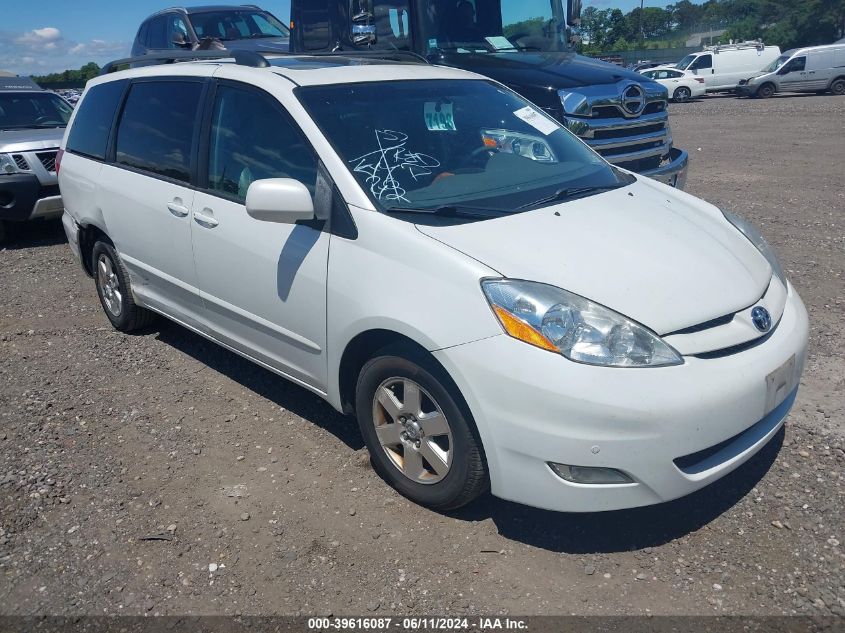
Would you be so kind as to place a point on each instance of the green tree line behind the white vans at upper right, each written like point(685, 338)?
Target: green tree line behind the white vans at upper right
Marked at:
point(786, 23)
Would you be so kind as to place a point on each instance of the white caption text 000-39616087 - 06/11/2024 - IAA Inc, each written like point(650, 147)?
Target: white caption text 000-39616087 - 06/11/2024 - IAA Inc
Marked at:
point(378, 624)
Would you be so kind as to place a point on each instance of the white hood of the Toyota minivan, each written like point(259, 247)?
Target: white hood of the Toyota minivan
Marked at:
point(666, 260)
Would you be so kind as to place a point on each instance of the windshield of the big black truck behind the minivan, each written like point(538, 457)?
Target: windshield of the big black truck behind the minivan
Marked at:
point(473, 26)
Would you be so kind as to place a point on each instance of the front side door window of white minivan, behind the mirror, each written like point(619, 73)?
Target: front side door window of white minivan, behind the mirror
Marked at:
point(253, 138)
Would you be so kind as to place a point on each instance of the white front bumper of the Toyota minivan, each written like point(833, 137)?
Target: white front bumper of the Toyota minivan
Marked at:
point(533, 407)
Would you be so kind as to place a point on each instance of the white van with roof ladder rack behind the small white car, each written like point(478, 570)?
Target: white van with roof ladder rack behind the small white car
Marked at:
point(723, 66)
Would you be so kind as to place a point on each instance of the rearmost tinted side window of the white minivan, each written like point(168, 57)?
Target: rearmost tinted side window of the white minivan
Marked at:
point(89, 134)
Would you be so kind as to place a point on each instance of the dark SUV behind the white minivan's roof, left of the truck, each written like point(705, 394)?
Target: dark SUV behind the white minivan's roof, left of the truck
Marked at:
point(245, 27)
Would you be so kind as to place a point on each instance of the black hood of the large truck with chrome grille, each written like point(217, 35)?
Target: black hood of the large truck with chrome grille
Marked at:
point(553, 70)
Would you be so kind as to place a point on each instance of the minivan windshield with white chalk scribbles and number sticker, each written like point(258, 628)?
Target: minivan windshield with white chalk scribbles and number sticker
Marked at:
point(431, 144)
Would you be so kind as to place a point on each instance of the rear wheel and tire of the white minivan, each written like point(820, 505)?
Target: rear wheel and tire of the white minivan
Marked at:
point(115, 292)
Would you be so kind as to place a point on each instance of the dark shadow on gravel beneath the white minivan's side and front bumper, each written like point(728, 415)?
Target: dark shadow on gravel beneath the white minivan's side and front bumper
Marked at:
point(600, 532)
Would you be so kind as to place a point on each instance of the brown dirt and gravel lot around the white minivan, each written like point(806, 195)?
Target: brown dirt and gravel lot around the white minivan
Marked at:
point(107, 438)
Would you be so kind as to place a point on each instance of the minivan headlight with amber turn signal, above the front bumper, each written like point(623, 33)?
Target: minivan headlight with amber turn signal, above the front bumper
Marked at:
point(583, 331)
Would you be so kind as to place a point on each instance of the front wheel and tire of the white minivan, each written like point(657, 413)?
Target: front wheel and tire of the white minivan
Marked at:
point(434, 457)
